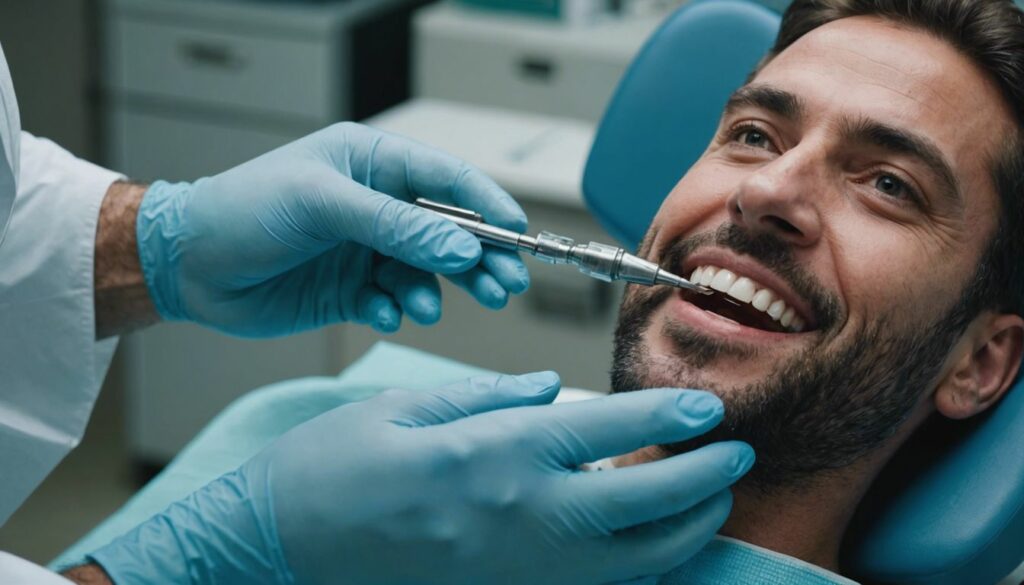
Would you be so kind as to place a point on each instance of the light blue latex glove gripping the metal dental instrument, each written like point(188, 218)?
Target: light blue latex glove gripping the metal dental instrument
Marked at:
point(321, 232)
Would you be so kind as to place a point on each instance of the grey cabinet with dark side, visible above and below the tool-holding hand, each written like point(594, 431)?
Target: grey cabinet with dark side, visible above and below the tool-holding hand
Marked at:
point(194, 88)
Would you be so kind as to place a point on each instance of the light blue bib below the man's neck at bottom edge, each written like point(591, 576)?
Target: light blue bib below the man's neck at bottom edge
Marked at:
point(728, 562)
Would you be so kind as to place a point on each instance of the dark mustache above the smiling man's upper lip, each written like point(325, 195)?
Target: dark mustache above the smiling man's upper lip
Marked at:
point(772, 252)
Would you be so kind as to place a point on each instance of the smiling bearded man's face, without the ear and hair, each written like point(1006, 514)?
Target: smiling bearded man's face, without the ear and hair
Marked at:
point(848, 196)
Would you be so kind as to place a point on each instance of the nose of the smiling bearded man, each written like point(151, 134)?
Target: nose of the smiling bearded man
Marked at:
point(780, 199)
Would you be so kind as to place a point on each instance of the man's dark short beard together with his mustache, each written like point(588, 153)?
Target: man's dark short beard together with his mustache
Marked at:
point(821, 410)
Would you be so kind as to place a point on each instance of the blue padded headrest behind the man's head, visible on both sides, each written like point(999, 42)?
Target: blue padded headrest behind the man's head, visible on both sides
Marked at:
point(949, 510)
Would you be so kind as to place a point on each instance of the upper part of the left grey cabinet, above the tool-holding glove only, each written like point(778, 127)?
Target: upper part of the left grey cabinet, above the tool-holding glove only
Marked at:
point(192, 88)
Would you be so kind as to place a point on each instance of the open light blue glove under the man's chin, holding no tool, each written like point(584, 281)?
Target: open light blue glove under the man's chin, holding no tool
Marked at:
point(444, 488)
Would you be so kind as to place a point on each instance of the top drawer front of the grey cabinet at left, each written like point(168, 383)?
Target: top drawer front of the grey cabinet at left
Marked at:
point(208, 66)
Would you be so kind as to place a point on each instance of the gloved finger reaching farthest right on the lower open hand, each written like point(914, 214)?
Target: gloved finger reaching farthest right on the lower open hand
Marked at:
point(630, 496)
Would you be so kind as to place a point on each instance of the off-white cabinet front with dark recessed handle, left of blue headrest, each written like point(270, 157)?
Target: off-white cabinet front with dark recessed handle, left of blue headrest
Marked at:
point(524, 64)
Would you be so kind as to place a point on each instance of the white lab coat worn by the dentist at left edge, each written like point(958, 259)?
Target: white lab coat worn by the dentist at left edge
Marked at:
point(51, 365)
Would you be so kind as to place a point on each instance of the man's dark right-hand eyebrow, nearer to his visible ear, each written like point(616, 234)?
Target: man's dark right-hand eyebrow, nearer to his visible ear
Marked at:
point(903, 142)
